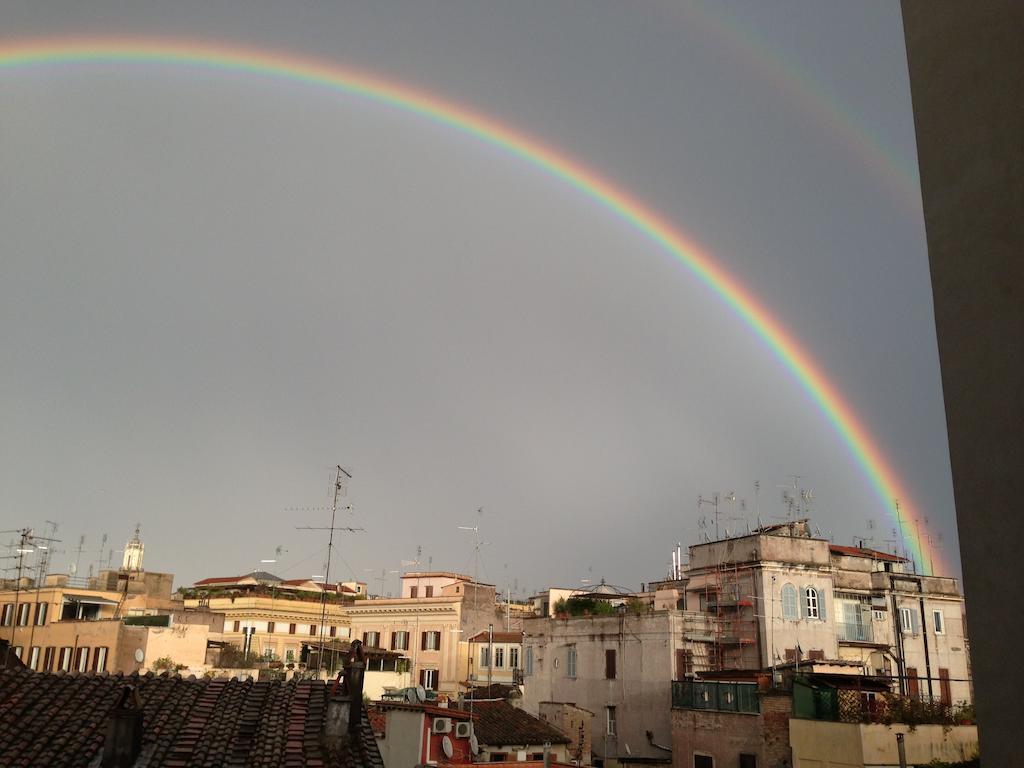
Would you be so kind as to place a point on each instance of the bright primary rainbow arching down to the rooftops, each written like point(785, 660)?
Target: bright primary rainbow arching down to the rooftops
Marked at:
point(877, 468)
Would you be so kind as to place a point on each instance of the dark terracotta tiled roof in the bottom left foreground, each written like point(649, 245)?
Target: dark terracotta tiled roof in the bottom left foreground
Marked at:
point(61, 720)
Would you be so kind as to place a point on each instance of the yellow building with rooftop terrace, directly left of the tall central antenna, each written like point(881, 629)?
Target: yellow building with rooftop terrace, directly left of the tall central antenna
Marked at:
point(272, 618)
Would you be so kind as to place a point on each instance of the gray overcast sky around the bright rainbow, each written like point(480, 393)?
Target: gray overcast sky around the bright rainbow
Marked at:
point(217, 286)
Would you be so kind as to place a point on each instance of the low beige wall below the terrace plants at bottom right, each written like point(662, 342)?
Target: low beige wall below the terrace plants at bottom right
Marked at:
point(826, 745)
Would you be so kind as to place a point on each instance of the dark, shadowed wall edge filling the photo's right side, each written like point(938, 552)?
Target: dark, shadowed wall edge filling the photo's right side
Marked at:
point(965, 64)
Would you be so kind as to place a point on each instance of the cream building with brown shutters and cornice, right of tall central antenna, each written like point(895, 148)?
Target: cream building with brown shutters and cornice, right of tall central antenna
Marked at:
point(430, 623)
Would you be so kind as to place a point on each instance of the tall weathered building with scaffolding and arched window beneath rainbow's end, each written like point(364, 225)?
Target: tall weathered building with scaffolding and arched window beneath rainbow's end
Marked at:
point(781, 595)
